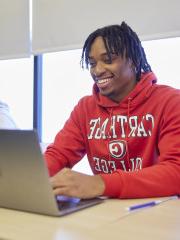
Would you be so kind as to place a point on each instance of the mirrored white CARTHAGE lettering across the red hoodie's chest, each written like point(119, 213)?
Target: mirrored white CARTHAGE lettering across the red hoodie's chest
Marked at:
point(119, 126)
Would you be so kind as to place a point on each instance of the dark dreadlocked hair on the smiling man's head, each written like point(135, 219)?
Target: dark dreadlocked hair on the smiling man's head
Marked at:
point(120, 40)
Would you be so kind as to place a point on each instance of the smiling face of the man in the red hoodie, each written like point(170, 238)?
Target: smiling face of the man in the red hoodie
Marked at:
point(114, 79)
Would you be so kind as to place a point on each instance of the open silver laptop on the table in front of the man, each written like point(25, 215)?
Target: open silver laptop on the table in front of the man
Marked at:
point(24, 179)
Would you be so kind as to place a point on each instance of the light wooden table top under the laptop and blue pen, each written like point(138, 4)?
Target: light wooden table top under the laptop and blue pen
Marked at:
point(109, 220)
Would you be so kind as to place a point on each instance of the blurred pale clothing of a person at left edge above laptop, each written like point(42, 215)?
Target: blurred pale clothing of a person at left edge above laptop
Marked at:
point(6, 120)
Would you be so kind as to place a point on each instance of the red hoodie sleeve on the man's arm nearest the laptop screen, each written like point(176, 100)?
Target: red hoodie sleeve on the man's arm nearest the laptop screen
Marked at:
point(68, 147)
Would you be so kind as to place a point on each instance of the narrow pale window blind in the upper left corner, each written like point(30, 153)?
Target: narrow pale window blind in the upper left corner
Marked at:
point(14, 29)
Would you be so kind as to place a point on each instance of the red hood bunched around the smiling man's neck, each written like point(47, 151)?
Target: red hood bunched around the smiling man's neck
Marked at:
point(142, 90)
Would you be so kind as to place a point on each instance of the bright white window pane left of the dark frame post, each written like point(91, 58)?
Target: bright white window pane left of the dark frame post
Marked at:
point(17, 89)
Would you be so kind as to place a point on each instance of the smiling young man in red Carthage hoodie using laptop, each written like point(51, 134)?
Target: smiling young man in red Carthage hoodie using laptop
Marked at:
point(129, 128)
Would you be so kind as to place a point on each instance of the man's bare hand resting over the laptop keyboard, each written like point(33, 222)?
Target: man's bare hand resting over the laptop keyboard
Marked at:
point(74, 184)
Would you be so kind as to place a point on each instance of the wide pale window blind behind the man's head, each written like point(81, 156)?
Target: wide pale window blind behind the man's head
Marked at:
point(65, 24)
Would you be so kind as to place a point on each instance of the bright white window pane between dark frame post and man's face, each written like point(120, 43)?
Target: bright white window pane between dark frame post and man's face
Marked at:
point(64, 83)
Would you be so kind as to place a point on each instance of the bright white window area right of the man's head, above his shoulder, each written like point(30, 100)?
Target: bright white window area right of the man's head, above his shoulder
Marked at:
point(163, 56)
